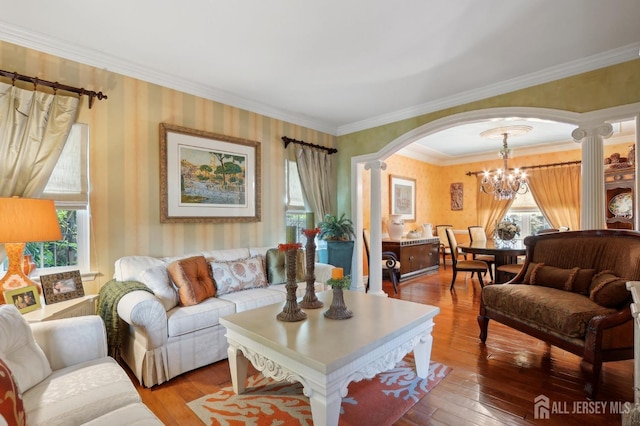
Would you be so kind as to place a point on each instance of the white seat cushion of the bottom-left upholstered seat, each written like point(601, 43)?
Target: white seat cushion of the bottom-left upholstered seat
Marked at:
point(76, 394)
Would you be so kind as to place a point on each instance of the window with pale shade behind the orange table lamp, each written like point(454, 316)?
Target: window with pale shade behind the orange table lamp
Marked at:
point(68, 186)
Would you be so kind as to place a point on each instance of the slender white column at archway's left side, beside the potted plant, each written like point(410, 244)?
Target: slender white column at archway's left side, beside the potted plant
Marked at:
point(375, 223)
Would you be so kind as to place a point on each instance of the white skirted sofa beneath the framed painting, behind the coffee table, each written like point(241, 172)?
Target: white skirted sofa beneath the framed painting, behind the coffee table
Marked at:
point(165, 339)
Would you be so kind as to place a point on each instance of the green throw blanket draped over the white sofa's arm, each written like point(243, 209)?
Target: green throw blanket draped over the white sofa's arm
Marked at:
point(108, 299)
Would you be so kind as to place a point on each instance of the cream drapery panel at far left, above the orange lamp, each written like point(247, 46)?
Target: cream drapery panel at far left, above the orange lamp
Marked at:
point(34, 127)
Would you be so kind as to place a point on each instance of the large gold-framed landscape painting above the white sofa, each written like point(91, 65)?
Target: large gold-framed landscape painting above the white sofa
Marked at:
point(207, 177)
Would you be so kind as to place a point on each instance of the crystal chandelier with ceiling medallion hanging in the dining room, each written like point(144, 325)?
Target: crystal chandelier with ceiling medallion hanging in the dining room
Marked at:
point(503, 183)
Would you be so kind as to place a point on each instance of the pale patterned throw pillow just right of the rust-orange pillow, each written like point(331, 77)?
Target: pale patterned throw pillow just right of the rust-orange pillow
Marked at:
point(236, 275)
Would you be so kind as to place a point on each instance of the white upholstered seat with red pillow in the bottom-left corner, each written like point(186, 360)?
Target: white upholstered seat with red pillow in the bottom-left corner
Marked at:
point(62, 370)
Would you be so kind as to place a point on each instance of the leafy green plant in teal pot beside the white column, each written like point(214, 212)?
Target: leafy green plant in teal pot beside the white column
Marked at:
point(338, 233)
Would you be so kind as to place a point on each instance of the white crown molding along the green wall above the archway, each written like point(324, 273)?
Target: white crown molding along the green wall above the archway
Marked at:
point(602, 60)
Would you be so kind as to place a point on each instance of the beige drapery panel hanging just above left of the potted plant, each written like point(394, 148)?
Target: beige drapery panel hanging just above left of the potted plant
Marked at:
point(315, 168)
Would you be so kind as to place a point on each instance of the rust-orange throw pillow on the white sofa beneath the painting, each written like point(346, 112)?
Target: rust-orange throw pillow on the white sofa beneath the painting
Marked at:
point(192, 276)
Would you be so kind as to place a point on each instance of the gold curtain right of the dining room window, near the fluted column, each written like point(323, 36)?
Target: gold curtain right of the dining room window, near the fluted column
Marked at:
point(556, 190)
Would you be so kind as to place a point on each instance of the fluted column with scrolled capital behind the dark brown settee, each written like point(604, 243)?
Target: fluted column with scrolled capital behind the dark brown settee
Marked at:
point(592, 211)
